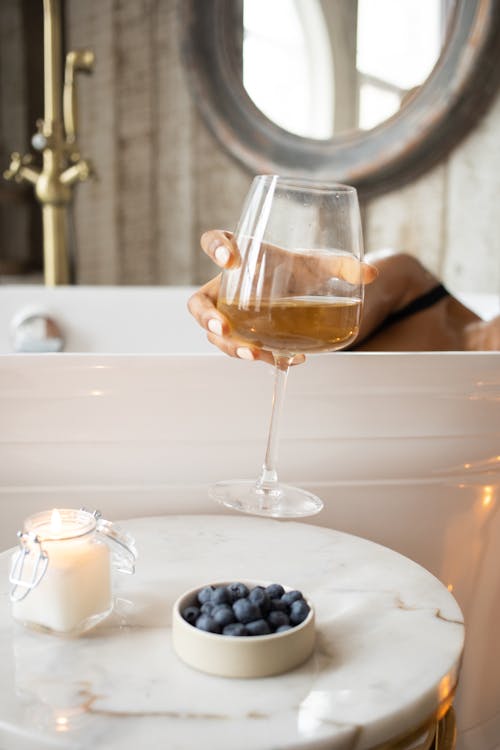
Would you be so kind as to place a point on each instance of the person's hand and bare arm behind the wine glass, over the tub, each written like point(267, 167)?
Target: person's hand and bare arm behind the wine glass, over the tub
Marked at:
point(443, 323)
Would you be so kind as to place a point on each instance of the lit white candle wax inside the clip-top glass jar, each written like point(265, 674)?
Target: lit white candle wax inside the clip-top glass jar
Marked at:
point(75, 591)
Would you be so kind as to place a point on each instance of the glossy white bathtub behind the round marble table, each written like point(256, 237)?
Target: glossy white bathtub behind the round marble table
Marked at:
point(403, 448)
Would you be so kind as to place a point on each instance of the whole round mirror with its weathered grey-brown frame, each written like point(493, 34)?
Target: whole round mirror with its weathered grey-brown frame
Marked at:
point(368, 92)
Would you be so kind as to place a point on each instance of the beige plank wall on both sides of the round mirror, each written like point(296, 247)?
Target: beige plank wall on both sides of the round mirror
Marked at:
point(162, 179)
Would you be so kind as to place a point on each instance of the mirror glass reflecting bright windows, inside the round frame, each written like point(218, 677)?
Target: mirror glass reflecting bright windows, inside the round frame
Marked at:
point(320, 67)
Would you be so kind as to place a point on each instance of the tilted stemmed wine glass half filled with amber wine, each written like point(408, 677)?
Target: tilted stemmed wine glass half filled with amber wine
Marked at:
point(295, 287)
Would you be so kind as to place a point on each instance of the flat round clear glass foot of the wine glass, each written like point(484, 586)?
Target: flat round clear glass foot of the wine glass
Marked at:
point(286, 502)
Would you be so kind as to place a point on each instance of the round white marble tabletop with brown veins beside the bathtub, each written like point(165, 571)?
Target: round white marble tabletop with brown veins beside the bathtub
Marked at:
point(386, 662)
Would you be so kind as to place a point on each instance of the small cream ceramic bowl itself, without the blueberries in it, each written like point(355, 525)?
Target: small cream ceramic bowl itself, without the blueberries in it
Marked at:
point(242, 656)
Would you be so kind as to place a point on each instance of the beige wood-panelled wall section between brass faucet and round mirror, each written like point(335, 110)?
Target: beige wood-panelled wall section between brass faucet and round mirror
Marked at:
point(162, 179)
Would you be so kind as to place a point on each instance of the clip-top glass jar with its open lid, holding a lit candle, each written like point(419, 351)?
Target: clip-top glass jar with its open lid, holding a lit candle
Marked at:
point(61, 575)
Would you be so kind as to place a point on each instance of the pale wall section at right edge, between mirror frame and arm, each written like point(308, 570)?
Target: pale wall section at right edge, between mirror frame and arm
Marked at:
point(450, 218)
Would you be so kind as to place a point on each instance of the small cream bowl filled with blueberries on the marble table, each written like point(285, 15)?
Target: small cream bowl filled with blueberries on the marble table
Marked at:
point(243, 628)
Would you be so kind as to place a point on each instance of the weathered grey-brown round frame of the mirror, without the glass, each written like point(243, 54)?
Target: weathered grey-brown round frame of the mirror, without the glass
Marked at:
point(449, 104)
